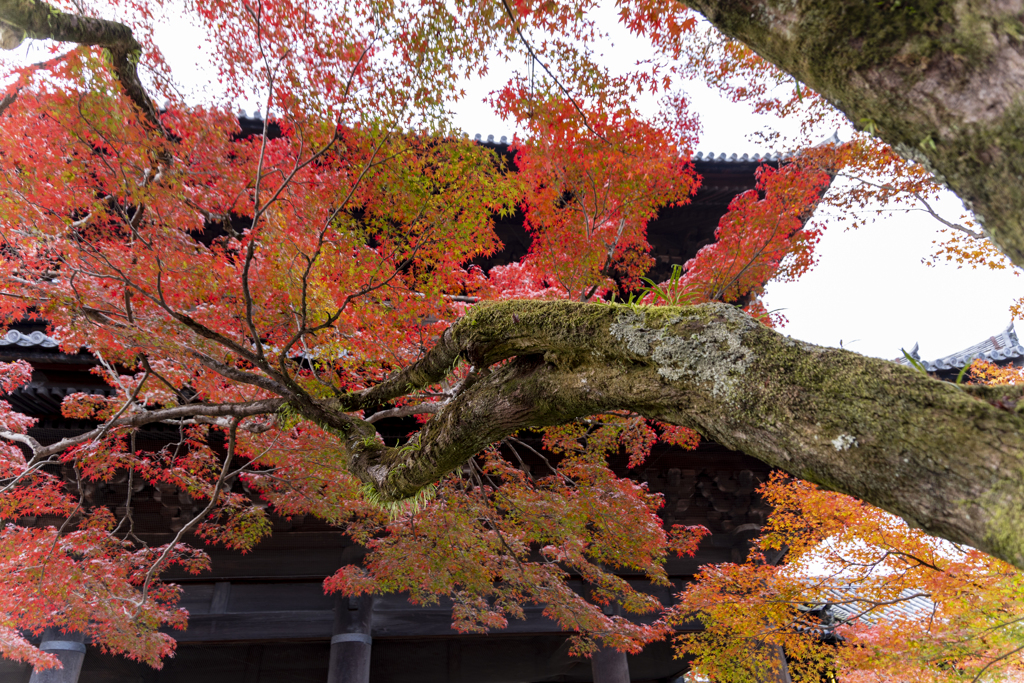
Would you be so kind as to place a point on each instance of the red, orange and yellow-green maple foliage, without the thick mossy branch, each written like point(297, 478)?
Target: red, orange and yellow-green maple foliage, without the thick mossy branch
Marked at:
point(212, 273)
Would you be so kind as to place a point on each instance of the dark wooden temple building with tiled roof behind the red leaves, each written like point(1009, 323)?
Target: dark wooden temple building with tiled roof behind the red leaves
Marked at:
point(264, 618)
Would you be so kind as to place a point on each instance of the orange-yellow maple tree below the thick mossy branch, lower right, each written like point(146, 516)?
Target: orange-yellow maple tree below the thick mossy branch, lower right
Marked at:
point(845, 589)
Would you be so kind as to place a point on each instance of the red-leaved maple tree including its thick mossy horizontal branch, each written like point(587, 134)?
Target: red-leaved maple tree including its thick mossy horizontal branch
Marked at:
point(275, 296)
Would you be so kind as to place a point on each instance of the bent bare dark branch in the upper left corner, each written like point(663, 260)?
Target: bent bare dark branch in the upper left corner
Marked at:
point(34, 19)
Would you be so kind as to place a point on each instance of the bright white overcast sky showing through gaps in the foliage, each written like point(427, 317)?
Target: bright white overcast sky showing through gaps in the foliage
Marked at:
point(871, 289)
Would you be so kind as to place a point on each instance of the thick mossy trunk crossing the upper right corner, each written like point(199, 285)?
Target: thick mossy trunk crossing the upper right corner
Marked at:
point(941, 80)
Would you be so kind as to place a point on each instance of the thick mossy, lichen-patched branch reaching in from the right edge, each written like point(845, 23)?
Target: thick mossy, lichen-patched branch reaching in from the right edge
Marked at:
point(948, 459)
